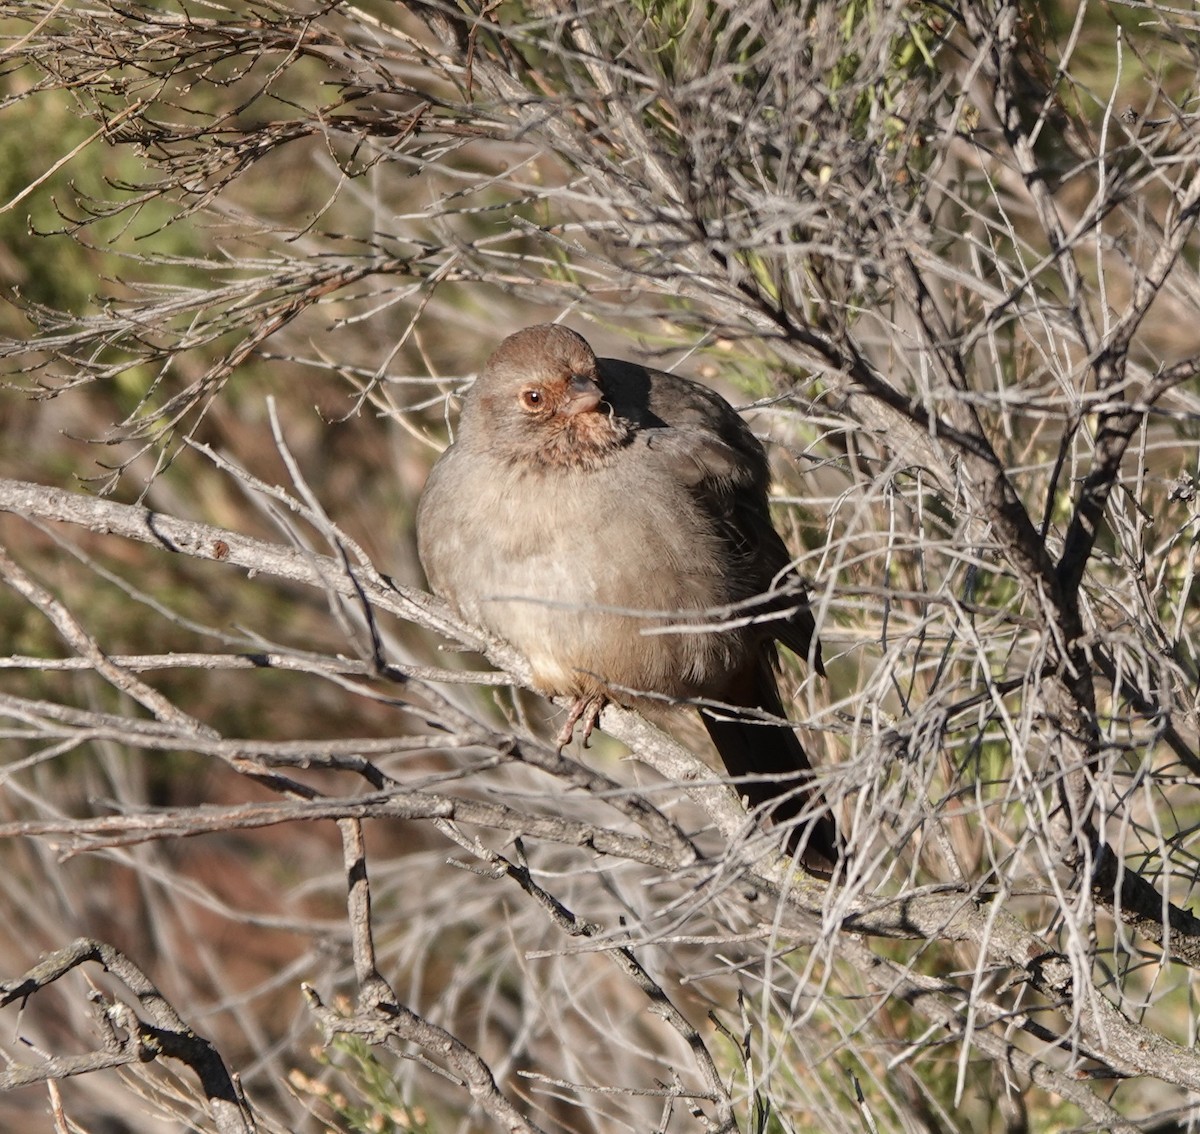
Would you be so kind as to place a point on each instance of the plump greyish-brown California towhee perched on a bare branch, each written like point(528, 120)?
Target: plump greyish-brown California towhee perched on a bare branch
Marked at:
point(610, 521)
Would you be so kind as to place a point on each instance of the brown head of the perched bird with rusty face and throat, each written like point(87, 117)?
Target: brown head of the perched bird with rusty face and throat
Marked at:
point(541, 399)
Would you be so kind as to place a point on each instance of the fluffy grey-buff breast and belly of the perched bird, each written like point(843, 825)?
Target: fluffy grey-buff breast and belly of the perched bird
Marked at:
point(596, 577)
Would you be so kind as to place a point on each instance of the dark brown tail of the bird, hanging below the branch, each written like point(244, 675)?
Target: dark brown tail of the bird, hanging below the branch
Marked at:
point(779, 777)
